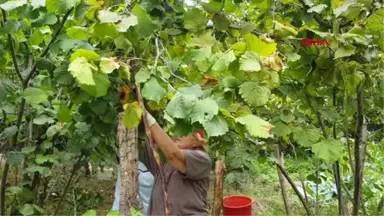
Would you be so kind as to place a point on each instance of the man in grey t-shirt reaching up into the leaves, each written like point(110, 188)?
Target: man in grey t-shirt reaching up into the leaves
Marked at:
point(186, 174)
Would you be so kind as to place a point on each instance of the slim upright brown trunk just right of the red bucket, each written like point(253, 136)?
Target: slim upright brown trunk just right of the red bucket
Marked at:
point(283, 184)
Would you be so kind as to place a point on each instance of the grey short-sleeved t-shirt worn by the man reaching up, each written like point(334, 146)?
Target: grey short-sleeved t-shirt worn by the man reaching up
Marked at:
point(187, 193)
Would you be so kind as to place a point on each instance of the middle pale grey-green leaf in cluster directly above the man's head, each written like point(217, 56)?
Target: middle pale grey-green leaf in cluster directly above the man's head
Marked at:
point(204, 110)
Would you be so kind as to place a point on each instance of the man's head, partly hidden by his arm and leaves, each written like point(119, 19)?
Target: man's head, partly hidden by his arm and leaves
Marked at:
point(192, 141)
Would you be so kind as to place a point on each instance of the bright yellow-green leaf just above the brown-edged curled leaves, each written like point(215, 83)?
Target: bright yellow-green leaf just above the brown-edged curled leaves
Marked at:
point(256, 45)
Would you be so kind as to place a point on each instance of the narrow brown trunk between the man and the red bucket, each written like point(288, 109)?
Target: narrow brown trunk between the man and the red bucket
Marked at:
point(218, 194)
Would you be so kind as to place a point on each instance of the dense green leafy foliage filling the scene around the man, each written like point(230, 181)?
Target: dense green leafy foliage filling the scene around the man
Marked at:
point(237, 69)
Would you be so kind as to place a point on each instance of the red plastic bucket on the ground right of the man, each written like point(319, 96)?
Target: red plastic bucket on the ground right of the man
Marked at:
point(237, 206)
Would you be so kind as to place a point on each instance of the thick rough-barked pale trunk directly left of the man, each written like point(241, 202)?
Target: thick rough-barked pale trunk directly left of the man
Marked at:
point(129, 154)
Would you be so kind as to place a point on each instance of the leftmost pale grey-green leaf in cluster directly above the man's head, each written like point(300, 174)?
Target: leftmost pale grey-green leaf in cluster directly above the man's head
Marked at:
point(180, 106)
